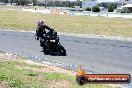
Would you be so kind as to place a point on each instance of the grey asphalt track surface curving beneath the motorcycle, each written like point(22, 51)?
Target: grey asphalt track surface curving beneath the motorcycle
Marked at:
point(101, 55)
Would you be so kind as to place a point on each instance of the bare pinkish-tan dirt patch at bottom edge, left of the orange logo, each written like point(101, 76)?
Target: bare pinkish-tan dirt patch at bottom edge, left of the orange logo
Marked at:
point(60, 84)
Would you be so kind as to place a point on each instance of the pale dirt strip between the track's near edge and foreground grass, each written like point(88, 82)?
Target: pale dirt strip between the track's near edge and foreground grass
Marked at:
point(45, 67)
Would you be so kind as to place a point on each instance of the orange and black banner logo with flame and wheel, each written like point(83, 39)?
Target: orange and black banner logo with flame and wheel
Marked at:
point(82, 77)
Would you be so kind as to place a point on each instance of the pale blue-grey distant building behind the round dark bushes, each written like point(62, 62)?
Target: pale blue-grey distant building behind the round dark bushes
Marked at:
point(89, 3)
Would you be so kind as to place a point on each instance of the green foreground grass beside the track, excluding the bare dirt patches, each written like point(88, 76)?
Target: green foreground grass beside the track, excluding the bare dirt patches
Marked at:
point(27, 78)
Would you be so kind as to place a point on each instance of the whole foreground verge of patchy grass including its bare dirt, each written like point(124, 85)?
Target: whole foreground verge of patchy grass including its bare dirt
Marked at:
point(19, 74)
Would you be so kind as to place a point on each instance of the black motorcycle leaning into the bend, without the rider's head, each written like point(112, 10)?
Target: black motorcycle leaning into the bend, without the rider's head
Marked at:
point(50, 43)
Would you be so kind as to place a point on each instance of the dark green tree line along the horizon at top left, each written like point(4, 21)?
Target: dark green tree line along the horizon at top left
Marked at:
point(46, 3)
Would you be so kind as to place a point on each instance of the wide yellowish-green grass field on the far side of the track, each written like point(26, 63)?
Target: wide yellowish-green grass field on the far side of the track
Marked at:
point(19, 20)
